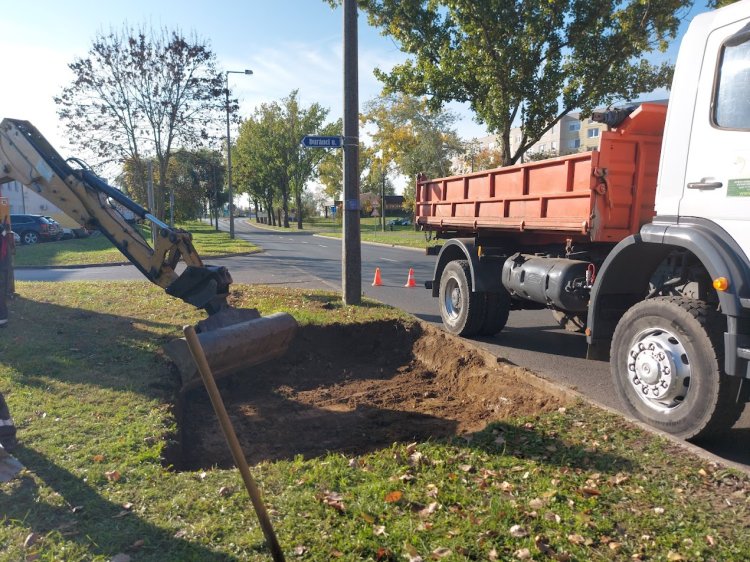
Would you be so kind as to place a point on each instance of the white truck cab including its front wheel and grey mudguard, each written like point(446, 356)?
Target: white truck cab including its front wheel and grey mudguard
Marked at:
point(679, 356)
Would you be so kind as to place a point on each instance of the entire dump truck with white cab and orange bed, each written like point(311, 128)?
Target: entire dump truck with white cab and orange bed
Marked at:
point(642, 243)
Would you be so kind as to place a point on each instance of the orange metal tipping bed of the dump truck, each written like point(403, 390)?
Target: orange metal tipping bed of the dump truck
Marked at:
point(601, 196)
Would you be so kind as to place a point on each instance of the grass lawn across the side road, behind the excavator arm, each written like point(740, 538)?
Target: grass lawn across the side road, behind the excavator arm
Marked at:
point(98, 249)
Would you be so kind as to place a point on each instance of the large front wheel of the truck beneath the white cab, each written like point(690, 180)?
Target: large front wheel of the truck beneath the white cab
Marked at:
point(665, 363)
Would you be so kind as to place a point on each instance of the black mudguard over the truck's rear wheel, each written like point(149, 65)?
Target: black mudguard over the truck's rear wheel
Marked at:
point(485, 273)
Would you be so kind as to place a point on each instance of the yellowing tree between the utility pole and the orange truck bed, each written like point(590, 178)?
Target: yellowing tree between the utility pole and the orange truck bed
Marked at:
point(414, 136)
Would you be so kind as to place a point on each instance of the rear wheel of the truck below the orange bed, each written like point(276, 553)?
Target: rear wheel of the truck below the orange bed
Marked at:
point(462, 311)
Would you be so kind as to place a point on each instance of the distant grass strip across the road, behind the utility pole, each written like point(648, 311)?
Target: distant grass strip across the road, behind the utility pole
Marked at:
point(370, 231)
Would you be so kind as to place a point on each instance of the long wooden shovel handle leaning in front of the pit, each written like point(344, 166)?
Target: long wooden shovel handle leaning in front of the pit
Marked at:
point(196, 350)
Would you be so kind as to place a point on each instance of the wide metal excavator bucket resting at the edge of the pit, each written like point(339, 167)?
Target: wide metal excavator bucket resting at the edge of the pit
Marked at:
point(233, 340)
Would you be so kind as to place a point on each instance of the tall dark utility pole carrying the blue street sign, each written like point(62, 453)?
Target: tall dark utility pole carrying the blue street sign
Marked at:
point(351, 249)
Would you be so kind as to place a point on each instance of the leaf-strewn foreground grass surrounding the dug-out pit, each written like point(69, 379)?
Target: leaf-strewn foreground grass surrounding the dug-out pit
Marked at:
point(93, 398)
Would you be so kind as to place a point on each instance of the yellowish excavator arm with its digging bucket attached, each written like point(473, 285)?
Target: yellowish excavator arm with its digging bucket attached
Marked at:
point(232, 338)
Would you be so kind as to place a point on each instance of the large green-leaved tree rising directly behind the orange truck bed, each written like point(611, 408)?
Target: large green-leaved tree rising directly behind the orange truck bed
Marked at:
point(526, 61)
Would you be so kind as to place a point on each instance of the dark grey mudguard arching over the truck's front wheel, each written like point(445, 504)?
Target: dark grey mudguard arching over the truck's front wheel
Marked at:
point(624, 276)
